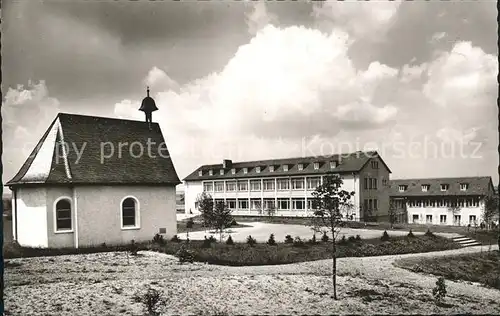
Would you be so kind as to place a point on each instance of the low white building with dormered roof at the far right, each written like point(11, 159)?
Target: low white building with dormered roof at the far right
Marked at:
point(442, 201)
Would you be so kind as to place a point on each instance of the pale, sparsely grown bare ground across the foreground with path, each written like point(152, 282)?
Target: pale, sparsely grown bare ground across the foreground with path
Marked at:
point(105, 283)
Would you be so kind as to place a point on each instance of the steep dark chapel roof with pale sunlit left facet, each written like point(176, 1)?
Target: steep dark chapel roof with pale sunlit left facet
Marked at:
point(98, 150)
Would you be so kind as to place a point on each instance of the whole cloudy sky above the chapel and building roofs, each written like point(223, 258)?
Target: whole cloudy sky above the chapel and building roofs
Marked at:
point(253, 80)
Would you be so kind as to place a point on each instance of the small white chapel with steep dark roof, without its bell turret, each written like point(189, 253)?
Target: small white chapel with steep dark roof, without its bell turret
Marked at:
point(78, 190)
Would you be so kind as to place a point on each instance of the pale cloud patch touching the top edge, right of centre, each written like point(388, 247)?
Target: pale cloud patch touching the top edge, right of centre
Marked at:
point(361, 19)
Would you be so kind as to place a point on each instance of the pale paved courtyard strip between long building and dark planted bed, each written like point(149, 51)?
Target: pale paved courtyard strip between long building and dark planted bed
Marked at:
point(261, 231)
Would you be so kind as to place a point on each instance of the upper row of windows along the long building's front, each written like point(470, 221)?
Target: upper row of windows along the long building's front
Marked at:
point(258, 185)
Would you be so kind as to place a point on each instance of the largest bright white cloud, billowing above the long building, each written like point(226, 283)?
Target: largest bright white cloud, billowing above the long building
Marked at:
point(277, 83)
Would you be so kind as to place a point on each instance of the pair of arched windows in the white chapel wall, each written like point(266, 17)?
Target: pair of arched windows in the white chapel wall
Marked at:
point(129, 213)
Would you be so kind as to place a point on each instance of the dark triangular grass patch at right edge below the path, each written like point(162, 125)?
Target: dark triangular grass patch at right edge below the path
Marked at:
point(482, 267)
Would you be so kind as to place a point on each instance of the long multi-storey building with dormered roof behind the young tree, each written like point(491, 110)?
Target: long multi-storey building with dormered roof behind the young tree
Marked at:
point(286, 185)
